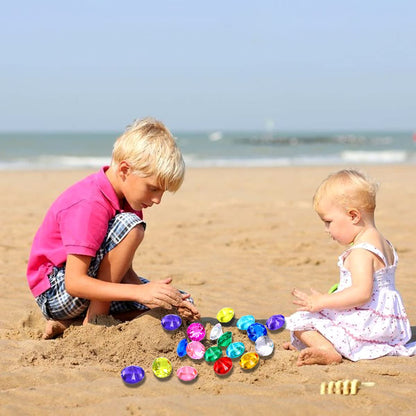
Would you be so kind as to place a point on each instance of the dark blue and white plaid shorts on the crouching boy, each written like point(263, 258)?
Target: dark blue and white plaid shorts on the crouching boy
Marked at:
point(56, 303)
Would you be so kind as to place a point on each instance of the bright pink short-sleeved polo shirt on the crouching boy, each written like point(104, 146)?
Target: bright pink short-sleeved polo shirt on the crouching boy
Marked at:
point(76, 223)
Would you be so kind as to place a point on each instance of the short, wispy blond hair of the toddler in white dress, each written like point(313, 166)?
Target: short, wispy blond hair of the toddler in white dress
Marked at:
point(350, 189)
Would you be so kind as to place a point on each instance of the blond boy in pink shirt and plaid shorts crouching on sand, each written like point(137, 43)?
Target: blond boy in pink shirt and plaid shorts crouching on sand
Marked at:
point(80, 263)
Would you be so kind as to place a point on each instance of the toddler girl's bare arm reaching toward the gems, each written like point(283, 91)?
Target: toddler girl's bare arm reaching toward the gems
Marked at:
point(360, 263)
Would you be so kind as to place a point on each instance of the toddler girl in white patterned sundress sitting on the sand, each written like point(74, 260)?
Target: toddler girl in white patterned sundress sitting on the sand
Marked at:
point(365, 317)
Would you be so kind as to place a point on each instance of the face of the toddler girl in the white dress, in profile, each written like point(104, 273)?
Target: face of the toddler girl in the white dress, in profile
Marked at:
point(339, 223)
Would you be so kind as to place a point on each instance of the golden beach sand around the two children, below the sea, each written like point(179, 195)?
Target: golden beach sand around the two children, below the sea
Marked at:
point(239, 238)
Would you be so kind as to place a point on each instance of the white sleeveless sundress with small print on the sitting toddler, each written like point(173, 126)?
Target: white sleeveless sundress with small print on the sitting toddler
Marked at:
point(378, 328)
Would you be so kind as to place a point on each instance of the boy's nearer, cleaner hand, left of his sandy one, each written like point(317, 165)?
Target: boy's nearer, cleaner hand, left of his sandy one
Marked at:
point(159, 294)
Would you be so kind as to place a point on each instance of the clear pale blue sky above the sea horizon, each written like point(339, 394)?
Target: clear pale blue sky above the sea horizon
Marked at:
point(96, 65)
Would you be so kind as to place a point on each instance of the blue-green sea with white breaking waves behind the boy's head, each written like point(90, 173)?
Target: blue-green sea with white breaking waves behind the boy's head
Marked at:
point(36, 150)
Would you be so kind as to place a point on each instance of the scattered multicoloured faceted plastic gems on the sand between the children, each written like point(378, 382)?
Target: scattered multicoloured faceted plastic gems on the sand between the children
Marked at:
point(220, 353)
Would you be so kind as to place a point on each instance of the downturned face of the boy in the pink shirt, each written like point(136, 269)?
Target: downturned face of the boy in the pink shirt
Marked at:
point(141, 193)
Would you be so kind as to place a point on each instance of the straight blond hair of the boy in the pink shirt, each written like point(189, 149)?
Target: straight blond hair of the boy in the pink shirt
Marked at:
point(150, 149)
